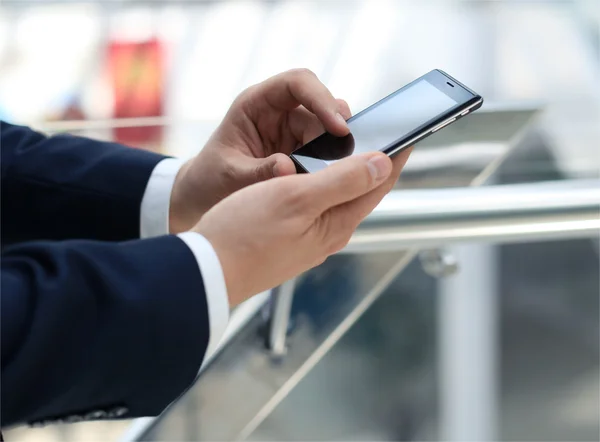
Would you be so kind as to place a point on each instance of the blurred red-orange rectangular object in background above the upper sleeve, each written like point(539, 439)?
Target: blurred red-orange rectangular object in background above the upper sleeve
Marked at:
point(136, 72)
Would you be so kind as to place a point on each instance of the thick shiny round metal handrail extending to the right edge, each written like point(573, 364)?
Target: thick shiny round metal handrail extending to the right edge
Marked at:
point(509, 213)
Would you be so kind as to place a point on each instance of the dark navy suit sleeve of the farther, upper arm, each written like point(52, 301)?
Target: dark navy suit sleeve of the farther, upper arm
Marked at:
point(66, 187)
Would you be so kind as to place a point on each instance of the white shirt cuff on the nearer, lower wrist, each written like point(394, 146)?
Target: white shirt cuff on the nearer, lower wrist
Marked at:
point(214, 286)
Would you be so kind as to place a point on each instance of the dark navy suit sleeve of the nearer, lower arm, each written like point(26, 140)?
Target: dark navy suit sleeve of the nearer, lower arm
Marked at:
point(94, 330)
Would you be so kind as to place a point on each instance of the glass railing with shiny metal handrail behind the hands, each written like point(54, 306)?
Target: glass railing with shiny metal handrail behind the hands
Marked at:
point(437, 321)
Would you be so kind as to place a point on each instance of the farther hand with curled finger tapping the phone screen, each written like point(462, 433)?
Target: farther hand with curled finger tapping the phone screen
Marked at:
point(263, 126)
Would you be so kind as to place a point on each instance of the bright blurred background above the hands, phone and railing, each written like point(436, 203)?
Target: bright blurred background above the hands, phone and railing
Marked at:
point(187, 60)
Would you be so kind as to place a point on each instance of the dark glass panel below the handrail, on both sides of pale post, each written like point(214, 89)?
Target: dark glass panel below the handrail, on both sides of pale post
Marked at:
point(382, 381)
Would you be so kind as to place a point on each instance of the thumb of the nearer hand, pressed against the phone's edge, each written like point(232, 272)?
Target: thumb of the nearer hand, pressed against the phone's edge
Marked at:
point(348, 179)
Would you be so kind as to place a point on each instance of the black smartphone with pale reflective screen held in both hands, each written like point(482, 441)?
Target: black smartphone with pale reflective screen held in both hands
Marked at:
point(400, 120)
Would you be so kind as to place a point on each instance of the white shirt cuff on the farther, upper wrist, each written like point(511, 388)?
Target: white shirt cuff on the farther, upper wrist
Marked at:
point(154, 212)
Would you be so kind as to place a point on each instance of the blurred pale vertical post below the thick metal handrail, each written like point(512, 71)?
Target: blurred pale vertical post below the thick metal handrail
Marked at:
point(468, 345)
